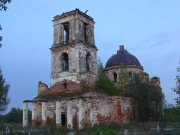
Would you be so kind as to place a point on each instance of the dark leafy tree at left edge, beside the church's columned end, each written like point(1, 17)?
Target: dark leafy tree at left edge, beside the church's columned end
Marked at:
point(4, 89)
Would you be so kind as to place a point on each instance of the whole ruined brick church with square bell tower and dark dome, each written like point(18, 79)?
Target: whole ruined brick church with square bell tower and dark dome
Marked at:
point(74, 60)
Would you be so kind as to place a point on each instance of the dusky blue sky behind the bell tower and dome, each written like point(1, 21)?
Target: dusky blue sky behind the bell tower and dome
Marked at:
point(149, 29)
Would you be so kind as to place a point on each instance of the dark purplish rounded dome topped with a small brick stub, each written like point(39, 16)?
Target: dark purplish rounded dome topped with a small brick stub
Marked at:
point(122, 58)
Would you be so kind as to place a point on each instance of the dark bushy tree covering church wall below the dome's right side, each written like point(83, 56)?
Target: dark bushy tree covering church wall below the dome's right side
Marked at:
point(148, 98)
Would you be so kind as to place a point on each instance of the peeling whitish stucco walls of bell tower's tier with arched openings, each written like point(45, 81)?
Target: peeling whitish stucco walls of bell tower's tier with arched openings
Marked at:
point(77, 64)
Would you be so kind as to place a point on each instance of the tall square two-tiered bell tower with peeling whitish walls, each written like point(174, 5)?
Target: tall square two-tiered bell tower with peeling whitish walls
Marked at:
point(73, 53)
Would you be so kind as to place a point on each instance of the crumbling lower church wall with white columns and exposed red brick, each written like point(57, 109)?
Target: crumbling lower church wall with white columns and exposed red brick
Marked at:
point(87, 110)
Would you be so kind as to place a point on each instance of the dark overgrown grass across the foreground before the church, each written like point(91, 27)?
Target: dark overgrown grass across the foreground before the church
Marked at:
point(108, 129)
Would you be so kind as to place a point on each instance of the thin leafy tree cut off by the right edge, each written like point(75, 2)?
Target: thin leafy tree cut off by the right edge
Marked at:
point(177, 88)
